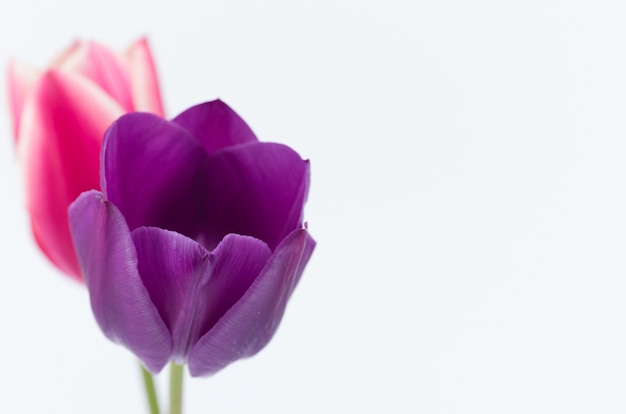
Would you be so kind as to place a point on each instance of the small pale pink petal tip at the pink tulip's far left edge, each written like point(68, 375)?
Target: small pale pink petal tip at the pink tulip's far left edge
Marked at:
point(21, 79)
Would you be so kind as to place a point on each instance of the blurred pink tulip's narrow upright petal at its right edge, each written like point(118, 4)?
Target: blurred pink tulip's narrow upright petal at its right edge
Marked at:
point(144, 79)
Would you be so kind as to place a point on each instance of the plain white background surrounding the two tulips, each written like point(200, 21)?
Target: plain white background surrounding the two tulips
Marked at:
point(468, 198)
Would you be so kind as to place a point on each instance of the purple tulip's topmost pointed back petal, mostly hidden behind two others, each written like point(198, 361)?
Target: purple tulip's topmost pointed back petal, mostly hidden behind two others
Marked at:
point(215, 125)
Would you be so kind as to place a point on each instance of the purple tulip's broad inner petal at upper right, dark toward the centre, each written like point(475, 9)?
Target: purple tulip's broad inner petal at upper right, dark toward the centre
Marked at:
point(256, 189)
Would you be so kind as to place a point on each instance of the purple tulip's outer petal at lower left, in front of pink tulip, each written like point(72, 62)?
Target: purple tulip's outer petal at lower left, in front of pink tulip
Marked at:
point(119, 300)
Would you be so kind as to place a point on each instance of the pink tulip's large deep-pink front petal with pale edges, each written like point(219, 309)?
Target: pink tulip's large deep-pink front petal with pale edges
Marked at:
point(61, 131)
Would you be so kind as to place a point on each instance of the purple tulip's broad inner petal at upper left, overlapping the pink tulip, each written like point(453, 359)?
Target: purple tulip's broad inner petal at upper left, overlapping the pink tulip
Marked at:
point(150, 170)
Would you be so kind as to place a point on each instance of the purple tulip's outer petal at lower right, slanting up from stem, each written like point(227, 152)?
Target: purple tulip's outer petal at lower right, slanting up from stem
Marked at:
point(249, 325)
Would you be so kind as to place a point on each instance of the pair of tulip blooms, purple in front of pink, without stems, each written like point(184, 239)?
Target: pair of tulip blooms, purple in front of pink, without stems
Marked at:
point(188, 233)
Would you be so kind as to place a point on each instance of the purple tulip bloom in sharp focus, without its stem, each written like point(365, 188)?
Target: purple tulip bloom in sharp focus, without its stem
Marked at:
point(195, 246)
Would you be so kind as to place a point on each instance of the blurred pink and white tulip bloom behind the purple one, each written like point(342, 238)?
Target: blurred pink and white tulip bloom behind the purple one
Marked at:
point(59, 119)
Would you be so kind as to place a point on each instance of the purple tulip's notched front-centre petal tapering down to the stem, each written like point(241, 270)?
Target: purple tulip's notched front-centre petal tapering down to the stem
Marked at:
point(191, 288)
